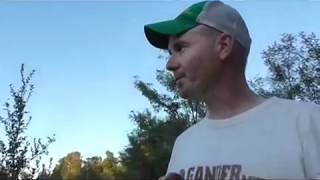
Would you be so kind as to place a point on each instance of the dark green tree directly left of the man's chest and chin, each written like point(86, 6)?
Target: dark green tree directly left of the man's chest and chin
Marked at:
point(151, 142)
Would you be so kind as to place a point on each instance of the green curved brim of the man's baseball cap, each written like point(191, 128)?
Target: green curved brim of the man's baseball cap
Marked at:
point(158, 33)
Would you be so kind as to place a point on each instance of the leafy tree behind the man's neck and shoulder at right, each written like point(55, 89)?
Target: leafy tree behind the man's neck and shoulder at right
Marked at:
point(294, 68)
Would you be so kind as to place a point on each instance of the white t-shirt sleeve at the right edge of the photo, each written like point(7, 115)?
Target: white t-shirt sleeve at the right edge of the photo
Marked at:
point(310, 137)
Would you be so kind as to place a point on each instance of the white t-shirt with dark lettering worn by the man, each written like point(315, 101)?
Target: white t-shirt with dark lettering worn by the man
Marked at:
point(278, 139)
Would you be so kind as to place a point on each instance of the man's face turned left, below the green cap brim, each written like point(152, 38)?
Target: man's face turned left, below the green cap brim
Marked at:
point(194, 62)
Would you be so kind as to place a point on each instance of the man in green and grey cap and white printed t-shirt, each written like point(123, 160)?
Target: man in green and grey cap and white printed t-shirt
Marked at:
point(243, 136)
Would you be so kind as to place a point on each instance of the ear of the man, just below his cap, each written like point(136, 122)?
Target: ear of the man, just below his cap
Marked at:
point(224, 46)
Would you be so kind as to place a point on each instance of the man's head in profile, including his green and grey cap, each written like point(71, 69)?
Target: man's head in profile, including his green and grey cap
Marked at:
point(203, 40)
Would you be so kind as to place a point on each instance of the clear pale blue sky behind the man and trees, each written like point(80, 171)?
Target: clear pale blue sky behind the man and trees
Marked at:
point(86, 54)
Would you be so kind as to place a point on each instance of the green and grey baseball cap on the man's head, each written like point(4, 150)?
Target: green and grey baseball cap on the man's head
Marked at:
point(214, 14)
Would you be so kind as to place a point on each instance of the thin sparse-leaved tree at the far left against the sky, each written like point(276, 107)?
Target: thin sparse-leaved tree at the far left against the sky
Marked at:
point(17, 155)
